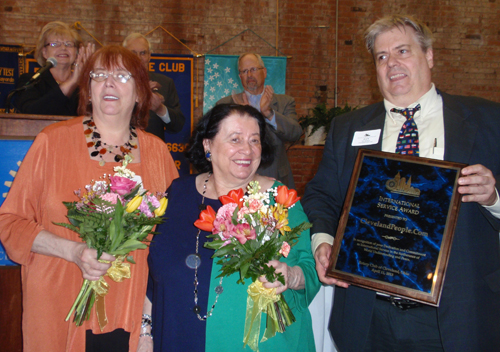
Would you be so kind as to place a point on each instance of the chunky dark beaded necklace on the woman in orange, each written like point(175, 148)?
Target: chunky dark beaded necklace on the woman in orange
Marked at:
point(98, 149)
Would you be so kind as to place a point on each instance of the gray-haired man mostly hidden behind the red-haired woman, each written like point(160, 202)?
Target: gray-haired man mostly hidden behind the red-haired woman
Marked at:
point(165, 113)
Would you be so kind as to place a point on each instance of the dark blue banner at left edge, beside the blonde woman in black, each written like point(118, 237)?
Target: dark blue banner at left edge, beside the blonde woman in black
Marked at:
point(11, 67)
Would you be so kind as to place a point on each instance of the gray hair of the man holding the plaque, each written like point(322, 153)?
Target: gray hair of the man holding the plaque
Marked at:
point(422, 32)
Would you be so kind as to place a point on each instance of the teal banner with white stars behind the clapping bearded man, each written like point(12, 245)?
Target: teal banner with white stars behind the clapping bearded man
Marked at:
point(222, 78)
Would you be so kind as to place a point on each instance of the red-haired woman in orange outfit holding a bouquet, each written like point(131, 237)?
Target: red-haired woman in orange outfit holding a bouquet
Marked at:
point(114, 95)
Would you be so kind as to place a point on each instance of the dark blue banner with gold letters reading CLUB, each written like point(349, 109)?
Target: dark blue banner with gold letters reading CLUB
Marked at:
point(180, 69)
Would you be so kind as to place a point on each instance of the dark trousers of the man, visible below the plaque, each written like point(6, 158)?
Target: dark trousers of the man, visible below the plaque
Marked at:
point(395, 330)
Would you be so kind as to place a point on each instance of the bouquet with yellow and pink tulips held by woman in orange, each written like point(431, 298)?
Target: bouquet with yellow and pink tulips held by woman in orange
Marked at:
point(114, 215)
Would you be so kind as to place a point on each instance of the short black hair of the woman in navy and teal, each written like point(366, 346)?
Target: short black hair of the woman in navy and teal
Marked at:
point(208, 128)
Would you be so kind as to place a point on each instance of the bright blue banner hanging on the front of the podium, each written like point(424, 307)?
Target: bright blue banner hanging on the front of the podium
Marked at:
point(14, 152)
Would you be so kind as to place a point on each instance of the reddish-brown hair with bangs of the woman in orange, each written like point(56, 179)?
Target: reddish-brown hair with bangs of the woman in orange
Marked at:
point(109, 56)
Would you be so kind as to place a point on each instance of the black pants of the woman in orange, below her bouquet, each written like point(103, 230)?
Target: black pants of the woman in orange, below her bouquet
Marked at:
point(115, 341)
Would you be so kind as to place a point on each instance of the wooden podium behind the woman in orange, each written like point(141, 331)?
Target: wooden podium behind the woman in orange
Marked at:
point(16, 126)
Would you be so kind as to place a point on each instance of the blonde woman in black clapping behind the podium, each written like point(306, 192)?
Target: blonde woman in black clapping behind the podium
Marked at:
point(56, 92)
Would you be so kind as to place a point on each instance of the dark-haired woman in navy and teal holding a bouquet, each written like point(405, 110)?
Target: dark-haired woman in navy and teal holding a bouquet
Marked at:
point(227, 147)
